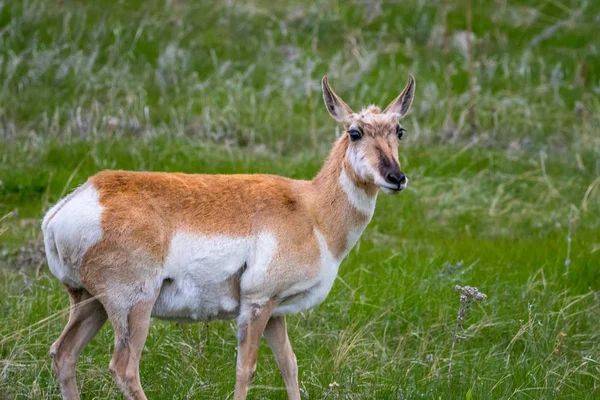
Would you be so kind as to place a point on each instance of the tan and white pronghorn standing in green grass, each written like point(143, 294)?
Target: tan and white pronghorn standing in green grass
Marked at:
point(129, 246)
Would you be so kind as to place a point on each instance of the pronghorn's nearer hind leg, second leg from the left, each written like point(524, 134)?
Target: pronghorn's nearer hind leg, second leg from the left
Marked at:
point(131, 331)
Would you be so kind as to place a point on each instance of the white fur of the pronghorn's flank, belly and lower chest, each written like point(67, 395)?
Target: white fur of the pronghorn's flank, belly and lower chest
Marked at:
point(203, 276)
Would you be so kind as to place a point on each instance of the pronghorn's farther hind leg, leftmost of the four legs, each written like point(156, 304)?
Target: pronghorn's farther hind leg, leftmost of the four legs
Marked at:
point(86, 317)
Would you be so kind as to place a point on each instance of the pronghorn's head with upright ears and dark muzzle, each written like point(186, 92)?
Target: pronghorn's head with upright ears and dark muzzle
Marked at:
point(373, 137)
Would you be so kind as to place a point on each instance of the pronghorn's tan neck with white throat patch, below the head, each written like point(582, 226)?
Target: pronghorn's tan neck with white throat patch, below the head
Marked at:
point(344, 203)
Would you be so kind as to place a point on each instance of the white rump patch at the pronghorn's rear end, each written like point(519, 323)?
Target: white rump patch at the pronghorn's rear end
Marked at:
point(70, 228)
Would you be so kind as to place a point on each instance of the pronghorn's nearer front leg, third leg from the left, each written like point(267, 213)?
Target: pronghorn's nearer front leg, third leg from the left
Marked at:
point(251, 325)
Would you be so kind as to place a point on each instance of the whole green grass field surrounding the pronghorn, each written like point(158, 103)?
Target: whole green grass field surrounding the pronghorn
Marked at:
point(512, 206)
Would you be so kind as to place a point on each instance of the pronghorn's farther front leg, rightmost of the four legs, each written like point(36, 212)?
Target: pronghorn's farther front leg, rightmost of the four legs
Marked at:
point(276, 334)
